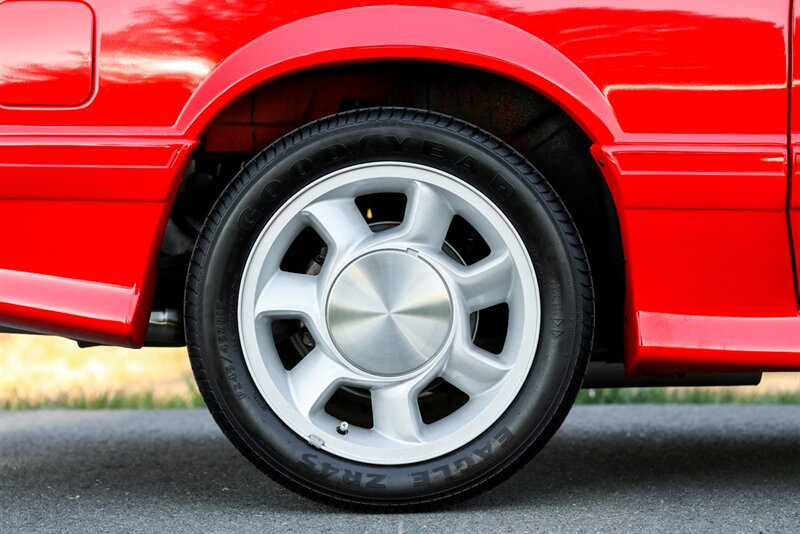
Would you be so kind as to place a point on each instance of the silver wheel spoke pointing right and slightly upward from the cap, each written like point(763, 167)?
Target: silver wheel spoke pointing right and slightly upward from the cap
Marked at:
point(485, 283)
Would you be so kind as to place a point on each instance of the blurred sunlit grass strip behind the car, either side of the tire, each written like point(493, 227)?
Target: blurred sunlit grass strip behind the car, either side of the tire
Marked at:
point(41, 372)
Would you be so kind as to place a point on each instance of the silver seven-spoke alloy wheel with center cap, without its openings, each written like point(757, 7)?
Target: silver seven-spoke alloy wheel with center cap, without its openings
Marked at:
point(388, 314)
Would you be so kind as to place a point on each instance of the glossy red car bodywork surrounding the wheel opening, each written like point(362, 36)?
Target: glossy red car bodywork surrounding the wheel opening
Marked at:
point(690, 111)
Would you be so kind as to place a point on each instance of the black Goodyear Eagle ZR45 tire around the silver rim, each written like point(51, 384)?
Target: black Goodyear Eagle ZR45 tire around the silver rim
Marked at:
point(501, 174)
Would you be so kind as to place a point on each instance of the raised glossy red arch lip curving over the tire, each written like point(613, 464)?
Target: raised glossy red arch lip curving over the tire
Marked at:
point(415, 34)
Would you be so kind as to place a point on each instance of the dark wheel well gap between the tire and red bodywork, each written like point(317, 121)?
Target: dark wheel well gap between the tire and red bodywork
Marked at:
point(528, 121)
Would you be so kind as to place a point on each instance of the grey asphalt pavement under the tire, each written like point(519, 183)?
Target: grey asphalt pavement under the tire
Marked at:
point(650, 468)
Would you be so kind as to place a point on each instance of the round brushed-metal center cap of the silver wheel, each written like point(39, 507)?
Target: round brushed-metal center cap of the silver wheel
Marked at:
point(389, 312)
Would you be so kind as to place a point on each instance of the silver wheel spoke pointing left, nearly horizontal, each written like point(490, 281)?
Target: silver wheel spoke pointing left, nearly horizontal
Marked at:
point(289, 295)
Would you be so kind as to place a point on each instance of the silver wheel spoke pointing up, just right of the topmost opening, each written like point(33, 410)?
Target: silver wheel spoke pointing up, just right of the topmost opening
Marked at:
point(427, 218)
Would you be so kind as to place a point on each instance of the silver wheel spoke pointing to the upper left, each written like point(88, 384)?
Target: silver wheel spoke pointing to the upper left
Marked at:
point(339, 223)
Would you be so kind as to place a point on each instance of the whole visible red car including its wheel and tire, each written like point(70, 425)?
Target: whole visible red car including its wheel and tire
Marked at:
point(394, 235)
